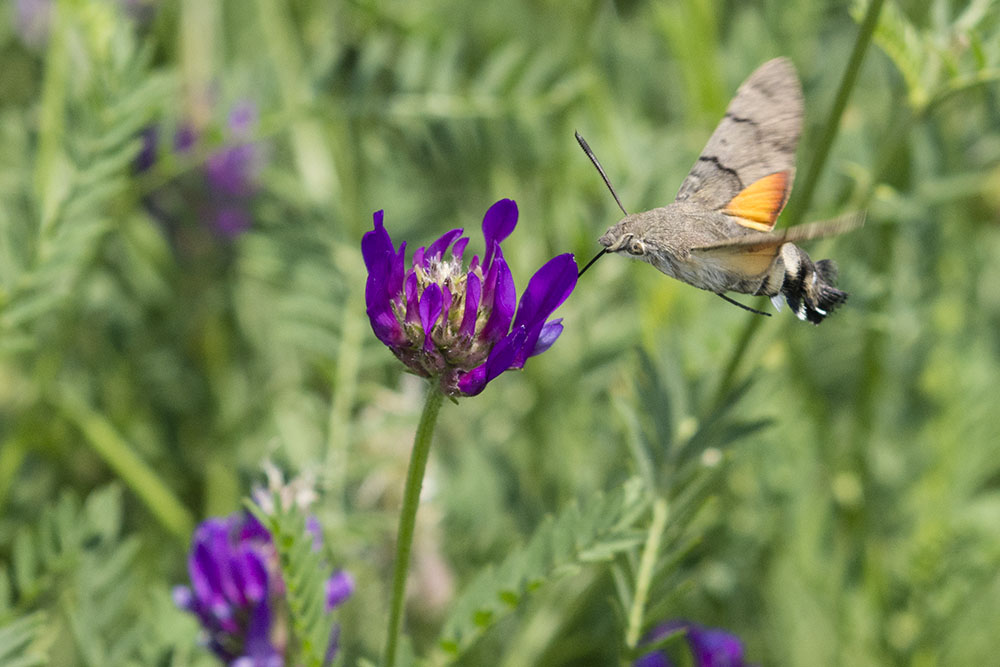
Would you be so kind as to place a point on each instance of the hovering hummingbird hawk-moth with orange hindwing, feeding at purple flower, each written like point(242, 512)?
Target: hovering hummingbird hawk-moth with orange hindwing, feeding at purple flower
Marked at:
point(718, 234)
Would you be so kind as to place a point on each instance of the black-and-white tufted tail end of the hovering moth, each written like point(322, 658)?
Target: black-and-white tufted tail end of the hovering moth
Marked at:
point(810, 289)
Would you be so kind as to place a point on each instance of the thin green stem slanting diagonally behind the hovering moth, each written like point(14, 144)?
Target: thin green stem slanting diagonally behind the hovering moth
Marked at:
point(805, 192)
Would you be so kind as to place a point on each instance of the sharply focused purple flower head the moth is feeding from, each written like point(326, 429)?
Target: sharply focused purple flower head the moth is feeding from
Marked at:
point(462, 323)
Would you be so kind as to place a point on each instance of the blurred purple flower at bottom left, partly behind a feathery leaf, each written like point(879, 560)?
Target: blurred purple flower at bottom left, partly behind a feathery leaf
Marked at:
point(236, 591)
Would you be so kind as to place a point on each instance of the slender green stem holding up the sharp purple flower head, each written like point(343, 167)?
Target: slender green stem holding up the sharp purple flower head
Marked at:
point(408, 517)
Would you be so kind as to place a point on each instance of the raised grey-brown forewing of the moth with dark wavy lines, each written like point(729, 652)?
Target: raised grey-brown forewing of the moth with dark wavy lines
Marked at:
point(757, 137)
